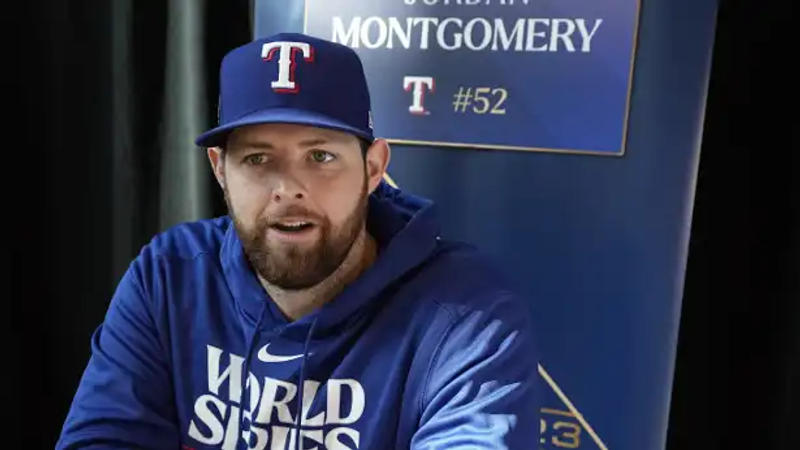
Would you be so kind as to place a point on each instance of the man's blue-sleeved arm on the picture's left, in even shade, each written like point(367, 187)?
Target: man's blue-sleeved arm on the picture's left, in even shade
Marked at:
point(125, 397)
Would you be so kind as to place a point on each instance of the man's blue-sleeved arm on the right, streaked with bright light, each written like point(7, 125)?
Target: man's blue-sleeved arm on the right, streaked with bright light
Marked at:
point(483, 389)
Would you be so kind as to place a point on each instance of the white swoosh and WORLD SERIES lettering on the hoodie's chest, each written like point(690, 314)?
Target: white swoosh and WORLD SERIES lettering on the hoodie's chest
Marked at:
point(265, 419)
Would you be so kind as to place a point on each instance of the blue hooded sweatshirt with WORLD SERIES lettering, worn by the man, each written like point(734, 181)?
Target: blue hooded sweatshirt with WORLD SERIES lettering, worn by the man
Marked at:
point(427, 349)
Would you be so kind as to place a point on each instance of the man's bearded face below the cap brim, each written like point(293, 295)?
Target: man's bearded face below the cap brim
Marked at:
point(298, 198)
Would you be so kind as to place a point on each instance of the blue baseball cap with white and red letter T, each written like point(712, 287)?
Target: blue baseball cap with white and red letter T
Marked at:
point(292, 78)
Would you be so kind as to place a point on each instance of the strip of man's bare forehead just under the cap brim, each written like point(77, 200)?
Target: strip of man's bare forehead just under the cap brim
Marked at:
point(289, 135)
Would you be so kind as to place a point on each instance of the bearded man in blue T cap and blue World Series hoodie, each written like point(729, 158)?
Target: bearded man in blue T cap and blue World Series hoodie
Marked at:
point(324, 312)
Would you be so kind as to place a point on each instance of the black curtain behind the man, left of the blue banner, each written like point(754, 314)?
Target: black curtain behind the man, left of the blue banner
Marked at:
point(85, 176)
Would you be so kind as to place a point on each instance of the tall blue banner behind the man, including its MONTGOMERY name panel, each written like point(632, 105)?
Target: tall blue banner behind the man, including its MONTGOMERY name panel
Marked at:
point(597, 243)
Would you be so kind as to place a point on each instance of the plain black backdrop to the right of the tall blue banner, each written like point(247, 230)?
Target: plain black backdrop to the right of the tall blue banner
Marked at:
point(738, 364)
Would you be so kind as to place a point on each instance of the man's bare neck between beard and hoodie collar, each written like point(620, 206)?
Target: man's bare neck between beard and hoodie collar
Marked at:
point(295, 304)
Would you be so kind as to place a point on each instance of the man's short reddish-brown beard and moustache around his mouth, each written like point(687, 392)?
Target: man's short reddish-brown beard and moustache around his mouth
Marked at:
point(292, 266)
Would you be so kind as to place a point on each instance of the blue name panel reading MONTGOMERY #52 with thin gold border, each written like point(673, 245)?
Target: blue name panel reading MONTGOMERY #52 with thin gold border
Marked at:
point(495, 75)
